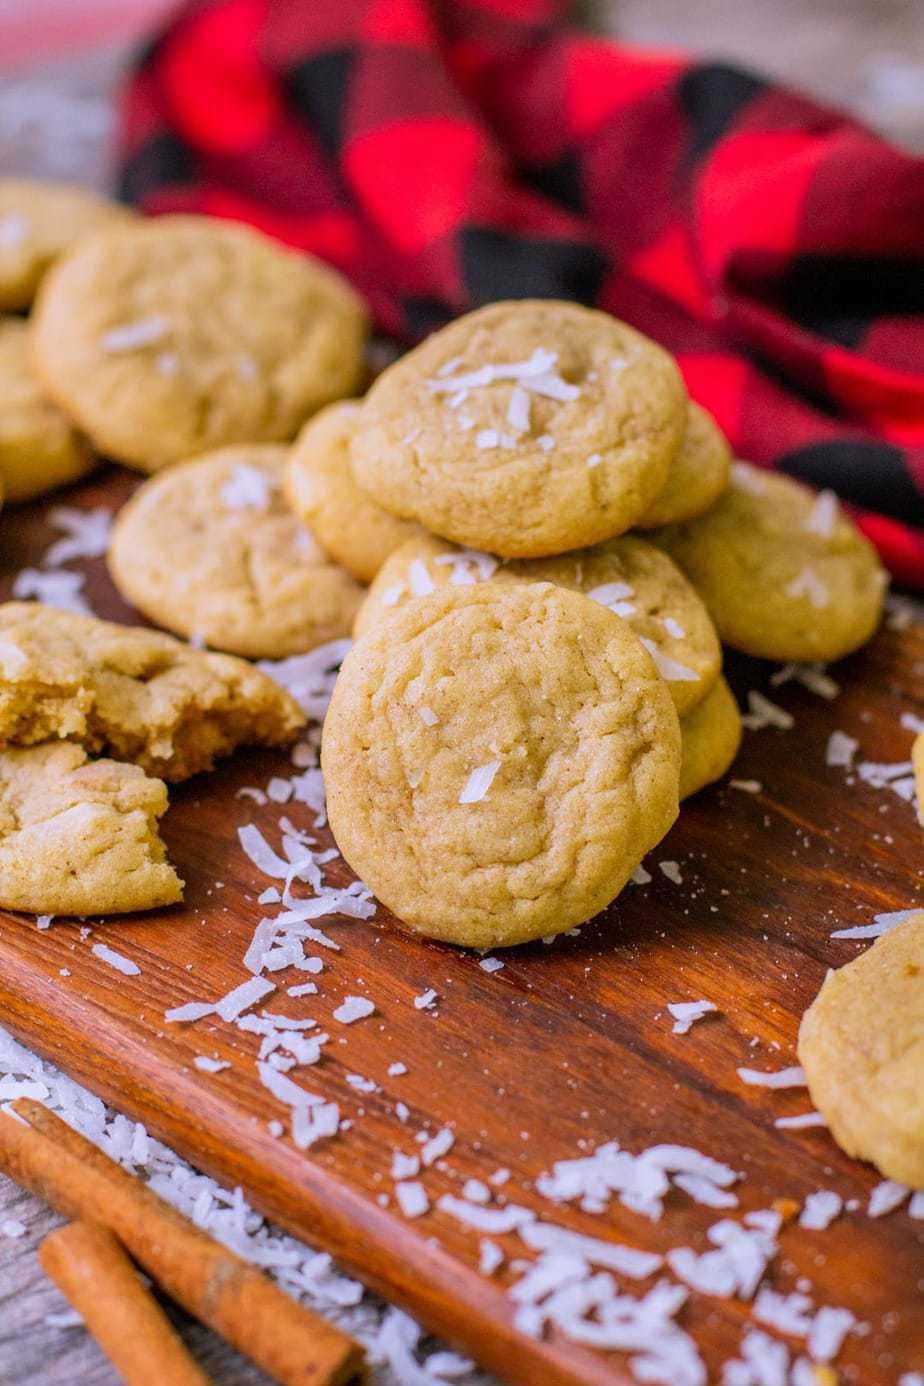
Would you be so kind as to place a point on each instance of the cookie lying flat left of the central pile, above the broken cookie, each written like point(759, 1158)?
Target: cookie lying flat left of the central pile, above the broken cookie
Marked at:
point(239, 573)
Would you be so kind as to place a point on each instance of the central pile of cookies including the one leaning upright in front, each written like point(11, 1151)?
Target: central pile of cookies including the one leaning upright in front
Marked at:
point(527, 451)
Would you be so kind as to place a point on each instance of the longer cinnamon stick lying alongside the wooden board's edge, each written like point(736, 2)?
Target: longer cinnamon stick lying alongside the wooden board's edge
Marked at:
point(292, 1344)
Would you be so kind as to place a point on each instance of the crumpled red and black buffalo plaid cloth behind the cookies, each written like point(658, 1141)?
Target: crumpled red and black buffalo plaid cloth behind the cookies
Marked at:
point(448, 153)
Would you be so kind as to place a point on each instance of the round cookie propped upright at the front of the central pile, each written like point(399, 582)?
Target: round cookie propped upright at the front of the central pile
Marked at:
point(498, 762)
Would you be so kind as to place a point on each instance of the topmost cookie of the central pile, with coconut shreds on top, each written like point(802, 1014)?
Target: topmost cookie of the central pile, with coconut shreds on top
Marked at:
point(526, 429)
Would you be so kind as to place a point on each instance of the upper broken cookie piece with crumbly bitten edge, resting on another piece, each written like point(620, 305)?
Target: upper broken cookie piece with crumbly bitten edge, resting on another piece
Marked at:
point(136, 695)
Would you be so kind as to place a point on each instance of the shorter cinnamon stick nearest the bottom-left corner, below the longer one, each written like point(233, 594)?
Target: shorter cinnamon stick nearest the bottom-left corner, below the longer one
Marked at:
point(95, 1274)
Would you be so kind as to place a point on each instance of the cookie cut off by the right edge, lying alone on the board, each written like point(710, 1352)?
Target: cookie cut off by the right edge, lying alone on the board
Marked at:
point(862, 1049)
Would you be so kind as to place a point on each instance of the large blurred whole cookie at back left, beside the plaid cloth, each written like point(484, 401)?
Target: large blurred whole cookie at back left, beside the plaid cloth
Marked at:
point(170, 337)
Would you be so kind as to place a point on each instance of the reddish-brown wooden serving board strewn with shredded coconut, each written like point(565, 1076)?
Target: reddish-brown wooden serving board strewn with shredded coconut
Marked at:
point(567, 1047)
